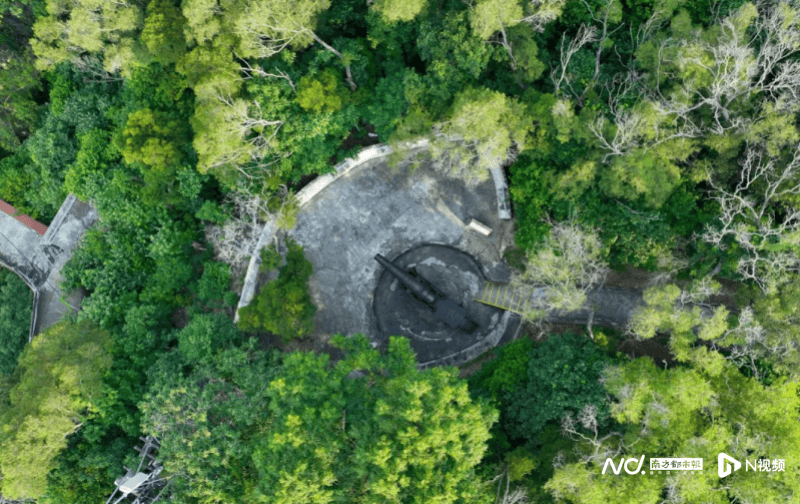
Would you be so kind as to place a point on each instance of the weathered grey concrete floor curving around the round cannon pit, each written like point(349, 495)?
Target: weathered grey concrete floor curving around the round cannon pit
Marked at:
point(379, 210)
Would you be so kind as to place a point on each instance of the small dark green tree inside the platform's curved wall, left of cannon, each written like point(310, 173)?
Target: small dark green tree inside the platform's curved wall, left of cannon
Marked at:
point(284, 306)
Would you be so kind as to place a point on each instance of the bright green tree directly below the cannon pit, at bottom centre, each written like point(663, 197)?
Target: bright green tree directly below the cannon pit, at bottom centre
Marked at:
point(393, 434)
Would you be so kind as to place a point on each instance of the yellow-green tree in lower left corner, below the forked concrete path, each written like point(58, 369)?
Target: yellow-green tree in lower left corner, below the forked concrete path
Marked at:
point(55, 386)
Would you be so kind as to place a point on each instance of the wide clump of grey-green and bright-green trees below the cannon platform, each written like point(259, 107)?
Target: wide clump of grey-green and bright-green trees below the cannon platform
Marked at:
point(243, 426)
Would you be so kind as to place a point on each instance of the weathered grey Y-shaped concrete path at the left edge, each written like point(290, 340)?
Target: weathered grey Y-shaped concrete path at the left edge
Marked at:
point(38, 259)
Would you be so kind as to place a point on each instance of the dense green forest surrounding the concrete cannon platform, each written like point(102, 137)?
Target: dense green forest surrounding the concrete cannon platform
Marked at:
point(657, 134)
